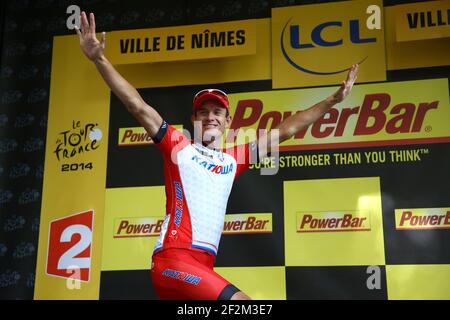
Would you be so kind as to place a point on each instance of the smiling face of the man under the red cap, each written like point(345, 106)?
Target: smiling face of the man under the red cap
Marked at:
point(210, 120)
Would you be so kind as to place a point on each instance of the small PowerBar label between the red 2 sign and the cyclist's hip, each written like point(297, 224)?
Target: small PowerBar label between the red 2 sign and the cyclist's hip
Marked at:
point(137, 227)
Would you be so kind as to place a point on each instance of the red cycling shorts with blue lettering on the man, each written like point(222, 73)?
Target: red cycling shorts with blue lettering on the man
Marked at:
point(183, 274)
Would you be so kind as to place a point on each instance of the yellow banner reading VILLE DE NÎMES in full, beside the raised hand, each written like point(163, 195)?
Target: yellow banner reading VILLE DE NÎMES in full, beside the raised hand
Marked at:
point(204, 41)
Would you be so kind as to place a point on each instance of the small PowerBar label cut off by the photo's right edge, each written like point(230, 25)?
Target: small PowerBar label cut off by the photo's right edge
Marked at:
point(422, 219)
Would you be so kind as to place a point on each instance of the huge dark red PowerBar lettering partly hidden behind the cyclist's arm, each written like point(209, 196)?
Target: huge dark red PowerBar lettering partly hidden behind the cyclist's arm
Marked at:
point(375, 118)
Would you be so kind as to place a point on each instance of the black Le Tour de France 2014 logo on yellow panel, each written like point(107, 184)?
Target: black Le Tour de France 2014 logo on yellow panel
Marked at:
point(79, 139)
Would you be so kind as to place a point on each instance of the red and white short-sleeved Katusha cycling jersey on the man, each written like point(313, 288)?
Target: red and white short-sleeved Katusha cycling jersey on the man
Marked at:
point(198, 184)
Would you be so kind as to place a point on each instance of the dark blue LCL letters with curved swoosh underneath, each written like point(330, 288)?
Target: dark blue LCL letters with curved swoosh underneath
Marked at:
point(350, 32)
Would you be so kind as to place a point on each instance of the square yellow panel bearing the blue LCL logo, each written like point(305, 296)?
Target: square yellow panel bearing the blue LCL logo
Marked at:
point(314, 45)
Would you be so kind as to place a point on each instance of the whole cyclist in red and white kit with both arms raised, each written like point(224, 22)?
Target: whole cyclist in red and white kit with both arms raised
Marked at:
point(199, 176)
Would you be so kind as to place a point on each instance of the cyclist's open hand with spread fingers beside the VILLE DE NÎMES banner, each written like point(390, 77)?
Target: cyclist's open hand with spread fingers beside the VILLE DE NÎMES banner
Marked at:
point(91, 46)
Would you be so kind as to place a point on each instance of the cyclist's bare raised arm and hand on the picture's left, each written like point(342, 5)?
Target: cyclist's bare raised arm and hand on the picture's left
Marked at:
point(93, 49)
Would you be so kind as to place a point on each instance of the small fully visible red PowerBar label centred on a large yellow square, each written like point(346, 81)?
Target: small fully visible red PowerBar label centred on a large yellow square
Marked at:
point(333, 221)
